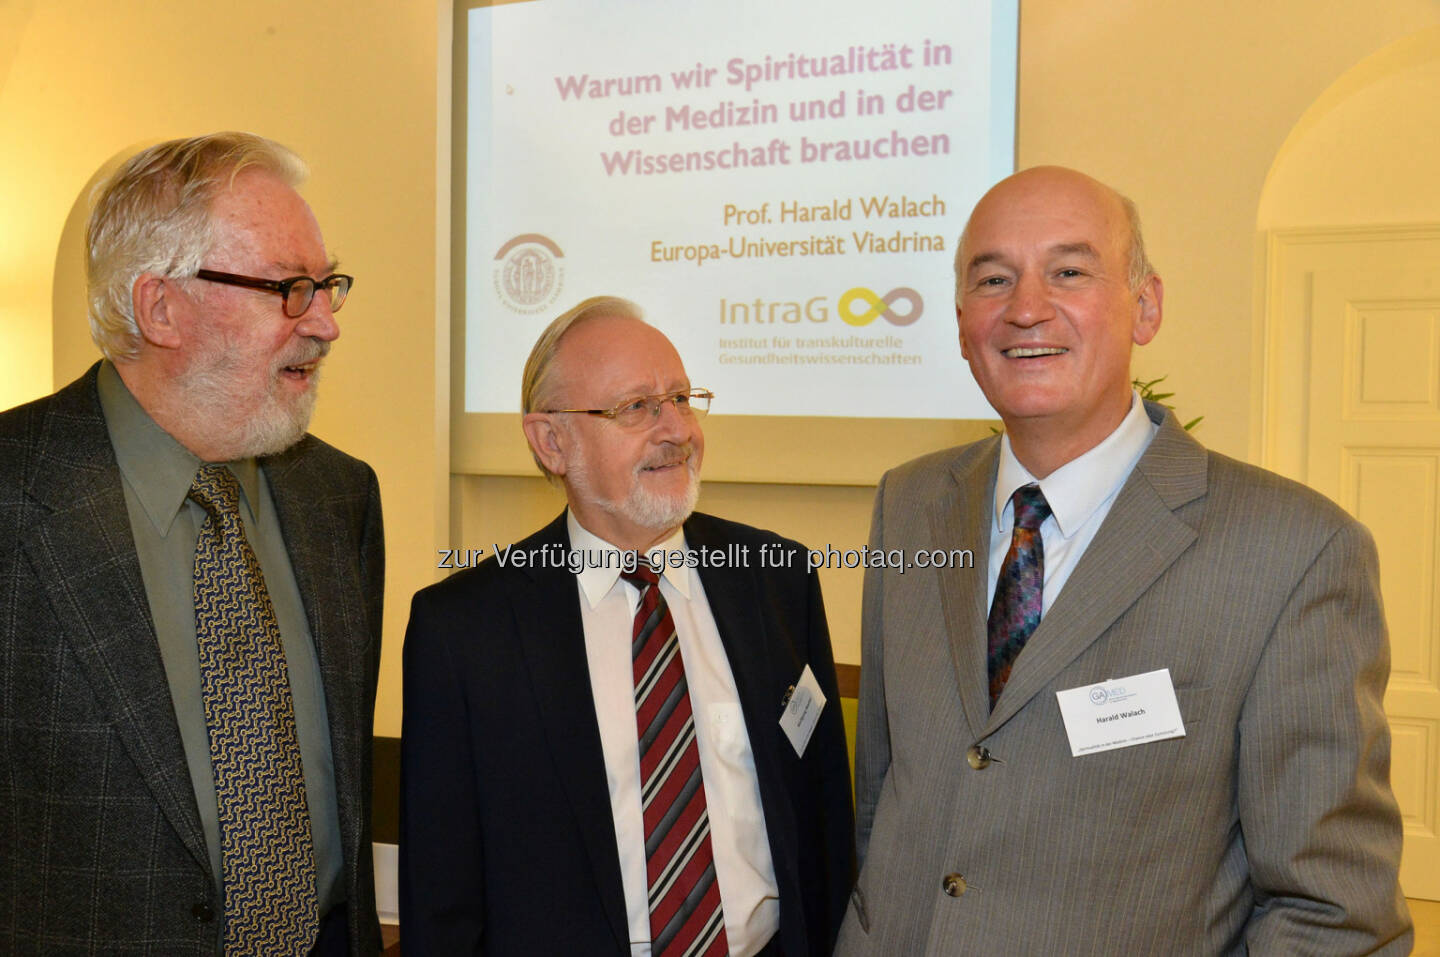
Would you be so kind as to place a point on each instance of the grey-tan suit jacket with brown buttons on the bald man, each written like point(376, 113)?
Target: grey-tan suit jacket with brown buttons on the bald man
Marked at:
point(1269, 827)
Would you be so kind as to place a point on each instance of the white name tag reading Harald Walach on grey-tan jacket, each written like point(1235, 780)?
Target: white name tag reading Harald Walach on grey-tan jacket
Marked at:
point(1121, 713)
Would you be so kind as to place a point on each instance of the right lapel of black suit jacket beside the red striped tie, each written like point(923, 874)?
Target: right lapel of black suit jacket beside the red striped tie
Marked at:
point(760, 667)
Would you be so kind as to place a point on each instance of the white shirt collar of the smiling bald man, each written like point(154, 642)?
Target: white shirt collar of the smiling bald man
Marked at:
point(1079, 487)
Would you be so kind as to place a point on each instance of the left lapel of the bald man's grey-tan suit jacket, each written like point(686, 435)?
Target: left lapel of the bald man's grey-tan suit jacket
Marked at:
point(964, 516)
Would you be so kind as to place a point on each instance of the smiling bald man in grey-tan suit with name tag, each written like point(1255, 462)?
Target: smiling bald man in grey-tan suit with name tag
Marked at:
point(1148, 720)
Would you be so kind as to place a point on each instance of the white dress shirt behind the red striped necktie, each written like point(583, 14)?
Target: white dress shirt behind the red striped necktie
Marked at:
point(745, 871)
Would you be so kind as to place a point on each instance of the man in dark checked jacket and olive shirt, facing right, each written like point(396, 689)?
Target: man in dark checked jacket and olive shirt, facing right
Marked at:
point(191, 591)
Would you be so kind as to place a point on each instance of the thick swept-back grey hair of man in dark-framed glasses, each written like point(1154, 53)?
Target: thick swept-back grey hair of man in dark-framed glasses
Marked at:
point(153, 215)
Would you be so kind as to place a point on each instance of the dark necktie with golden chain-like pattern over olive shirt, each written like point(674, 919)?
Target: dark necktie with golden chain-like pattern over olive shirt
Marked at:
point(267, 857)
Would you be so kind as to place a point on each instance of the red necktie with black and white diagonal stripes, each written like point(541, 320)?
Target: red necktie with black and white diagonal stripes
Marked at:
point(685, 899)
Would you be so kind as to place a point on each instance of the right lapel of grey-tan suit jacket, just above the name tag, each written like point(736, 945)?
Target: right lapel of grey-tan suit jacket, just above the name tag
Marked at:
point(1140, 539)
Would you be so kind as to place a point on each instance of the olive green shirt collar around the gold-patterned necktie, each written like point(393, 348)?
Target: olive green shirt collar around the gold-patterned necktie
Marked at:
point(159, 470)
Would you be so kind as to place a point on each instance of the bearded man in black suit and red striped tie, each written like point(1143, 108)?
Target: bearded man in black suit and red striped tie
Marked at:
point(620, 756)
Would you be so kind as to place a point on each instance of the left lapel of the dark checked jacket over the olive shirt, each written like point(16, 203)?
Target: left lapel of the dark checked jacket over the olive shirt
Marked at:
point(84, 558)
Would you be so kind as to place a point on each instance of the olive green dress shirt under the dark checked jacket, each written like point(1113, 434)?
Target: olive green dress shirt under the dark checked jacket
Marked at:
point(158, 473)
